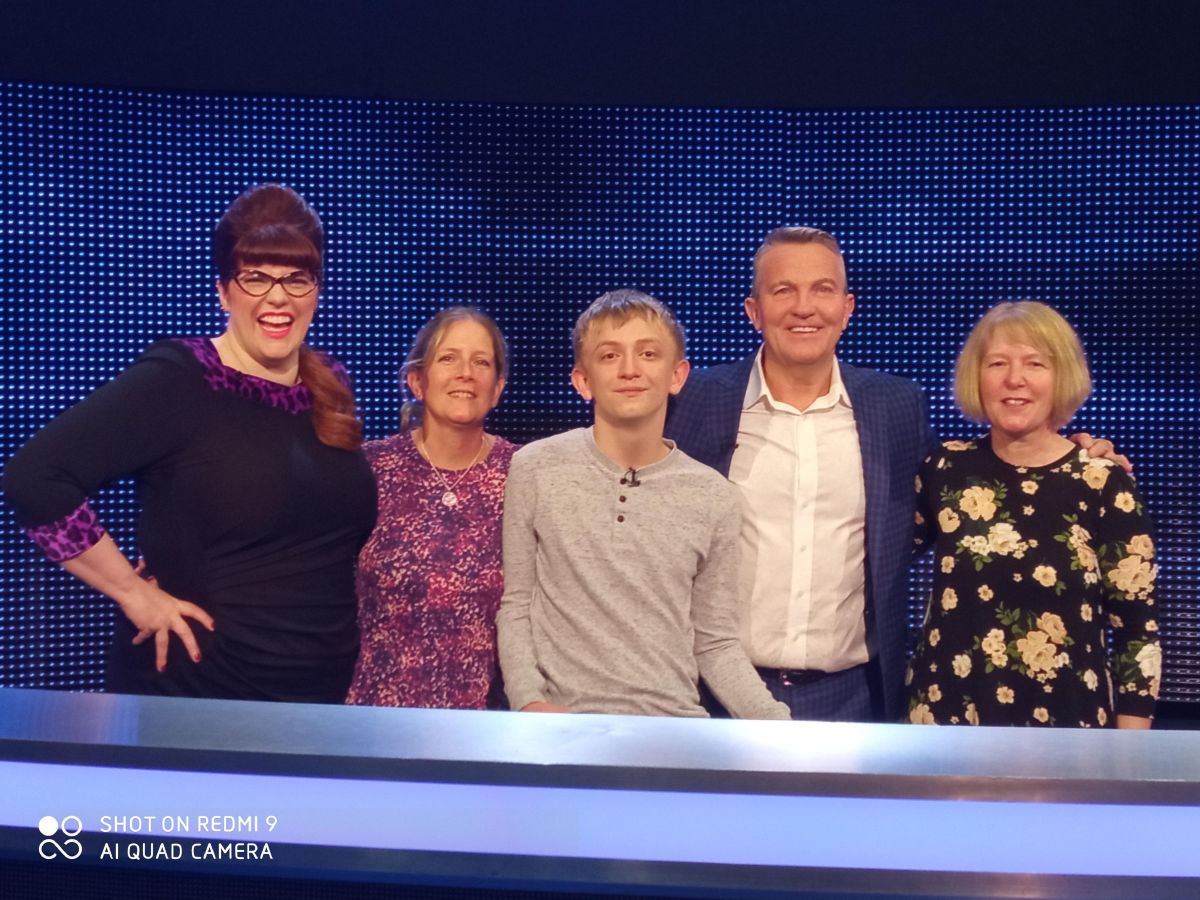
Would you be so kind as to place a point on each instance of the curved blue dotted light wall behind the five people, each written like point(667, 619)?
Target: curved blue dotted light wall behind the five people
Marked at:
point(109, 199)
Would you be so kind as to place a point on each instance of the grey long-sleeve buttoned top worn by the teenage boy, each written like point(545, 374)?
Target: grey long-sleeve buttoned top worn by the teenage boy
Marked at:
point(617, 597)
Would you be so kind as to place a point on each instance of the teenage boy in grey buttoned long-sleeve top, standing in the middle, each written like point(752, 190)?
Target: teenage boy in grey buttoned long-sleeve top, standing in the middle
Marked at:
point(620, 551)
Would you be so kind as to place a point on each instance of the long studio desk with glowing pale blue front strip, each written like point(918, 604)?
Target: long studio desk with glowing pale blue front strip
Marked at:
point(106, 787)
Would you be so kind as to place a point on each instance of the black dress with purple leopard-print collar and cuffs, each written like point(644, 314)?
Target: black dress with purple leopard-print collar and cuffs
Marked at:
point(244, 512)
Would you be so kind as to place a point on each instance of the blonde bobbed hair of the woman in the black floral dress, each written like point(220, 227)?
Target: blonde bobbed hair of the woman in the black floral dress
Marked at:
point(1041, 327)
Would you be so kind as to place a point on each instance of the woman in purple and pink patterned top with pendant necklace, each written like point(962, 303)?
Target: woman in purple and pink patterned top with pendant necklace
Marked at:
point(430, 578)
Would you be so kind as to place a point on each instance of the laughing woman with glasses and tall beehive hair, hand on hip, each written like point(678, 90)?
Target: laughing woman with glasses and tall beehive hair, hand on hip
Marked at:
point(255, 495)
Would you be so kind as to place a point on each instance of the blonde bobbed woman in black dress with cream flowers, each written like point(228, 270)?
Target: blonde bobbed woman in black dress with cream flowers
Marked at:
point(1039, 550)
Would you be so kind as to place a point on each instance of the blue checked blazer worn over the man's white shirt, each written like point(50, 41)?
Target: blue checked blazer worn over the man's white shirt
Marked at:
point(895, 437)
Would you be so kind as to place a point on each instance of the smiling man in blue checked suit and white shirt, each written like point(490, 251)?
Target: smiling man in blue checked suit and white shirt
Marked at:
point(824, 457)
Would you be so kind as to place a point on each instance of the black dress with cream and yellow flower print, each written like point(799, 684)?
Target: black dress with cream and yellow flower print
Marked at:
point(1031, 565)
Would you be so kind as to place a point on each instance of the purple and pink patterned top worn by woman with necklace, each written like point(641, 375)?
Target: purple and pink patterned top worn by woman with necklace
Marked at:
point(430, 583)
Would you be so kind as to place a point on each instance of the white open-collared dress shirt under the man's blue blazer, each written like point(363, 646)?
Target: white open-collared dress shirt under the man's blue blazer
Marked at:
point(802, 581)
